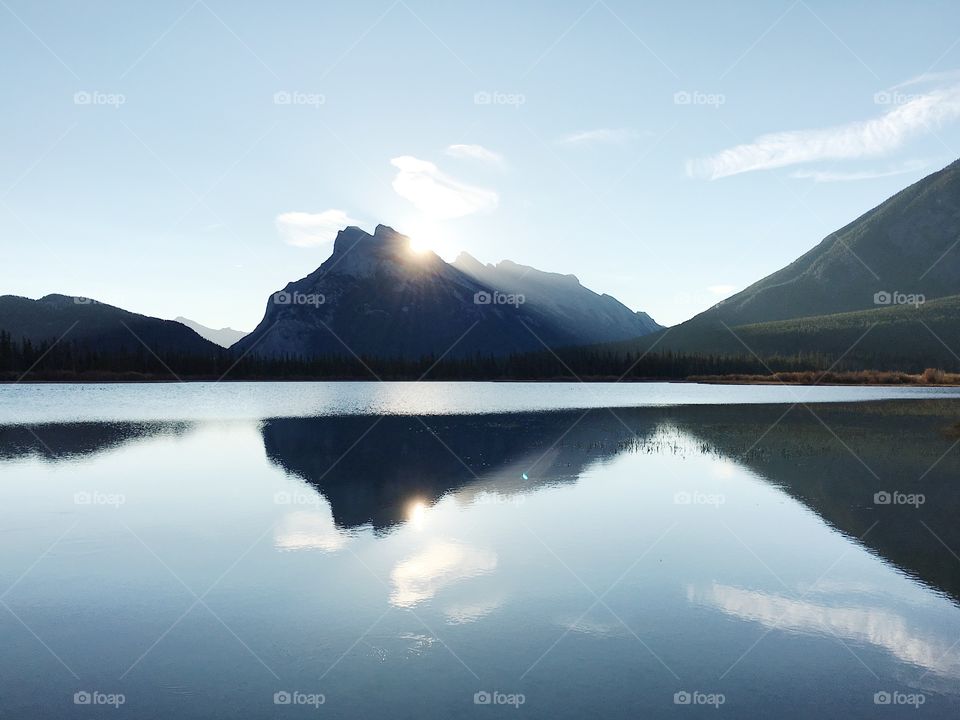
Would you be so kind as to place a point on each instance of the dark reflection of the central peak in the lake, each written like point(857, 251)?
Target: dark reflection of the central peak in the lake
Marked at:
point(370, 470)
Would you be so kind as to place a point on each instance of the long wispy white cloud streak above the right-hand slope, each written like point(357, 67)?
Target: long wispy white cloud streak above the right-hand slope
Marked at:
point(866, 138)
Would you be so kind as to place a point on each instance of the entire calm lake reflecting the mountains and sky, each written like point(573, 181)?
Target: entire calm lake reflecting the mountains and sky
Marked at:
point(437, 550)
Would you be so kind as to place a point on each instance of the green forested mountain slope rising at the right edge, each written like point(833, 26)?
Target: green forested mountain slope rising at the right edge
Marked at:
point(878, 270)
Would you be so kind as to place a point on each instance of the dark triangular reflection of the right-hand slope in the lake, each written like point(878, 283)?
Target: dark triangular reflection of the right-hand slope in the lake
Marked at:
point(836, 458)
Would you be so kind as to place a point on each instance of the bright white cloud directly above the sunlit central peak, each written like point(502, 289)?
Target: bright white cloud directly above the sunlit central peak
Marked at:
point(437, 194)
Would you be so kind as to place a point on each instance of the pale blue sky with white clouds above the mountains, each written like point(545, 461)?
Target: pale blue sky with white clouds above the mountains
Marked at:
point(191, 157)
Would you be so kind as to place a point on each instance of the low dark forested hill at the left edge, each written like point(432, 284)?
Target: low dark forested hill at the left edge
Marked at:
point(97, 326)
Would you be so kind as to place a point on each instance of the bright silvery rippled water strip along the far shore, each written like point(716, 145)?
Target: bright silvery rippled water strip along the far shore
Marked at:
point(254, 401)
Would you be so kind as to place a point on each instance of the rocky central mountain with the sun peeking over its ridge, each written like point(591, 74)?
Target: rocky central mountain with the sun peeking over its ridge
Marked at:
point(374, 296)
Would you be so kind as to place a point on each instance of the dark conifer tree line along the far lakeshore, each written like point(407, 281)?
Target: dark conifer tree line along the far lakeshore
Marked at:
point(66, 360)
